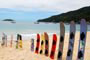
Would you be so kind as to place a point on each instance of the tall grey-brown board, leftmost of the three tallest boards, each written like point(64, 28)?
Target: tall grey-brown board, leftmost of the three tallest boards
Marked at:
point(61, 41)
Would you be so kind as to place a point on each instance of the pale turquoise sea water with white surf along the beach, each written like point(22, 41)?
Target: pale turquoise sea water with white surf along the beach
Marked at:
point(30, 29)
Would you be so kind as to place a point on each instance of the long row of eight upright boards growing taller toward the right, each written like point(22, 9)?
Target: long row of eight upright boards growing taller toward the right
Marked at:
point(45, 42)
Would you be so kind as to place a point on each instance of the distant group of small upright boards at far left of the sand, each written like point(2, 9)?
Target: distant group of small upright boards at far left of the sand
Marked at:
point(18, 41)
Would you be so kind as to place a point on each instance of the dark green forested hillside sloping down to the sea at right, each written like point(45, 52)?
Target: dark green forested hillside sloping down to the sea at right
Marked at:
point(75, 15)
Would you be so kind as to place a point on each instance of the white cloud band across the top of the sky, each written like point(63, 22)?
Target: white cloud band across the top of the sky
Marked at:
point(44, 5)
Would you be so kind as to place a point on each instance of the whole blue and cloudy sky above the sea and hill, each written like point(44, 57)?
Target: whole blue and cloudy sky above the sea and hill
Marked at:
point(32, 10)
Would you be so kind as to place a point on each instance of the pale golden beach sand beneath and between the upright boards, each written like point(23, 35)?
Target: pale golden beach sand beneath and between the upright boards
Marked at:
point(8, 53)
